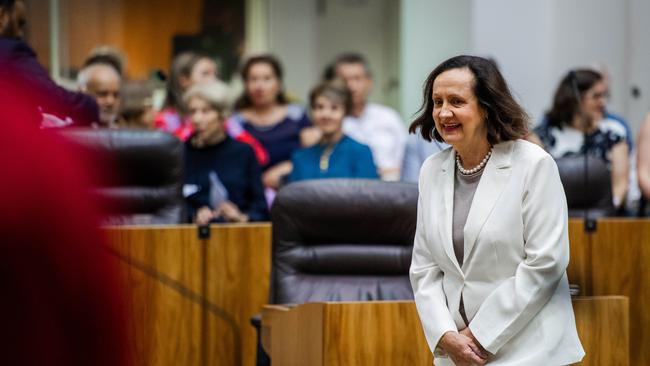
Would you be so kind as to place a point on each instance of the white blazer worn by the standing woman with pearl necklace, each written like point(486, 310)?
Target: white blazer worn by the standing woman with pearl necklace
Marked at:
point(513, 279)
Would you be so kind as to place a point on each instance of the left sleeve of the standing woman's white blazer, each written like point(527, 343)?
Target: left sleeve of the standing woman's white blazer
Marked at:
point(426, 280)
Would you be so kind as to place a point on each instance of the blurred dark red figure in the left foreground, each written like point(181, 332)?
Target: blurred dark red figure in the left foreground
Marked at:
point(60, 300)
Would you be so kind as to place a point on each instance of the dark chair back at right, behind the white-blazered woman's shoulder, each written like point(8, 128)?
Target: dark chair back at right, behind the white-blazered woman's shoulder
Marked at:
point(591, 194)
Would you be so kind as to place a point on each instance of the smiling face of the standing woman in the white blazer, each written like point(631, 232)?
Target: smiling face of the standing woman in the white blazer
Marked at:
point(458, 117)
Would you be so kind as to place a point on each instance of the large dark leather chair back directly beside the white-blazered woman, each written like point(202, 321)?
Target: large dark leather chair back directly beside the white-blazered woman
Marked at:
point(343, 240)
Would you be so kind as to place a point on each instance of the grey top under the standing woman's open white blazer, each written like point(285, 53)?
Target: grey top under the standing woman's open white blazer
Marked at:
point(464, 189)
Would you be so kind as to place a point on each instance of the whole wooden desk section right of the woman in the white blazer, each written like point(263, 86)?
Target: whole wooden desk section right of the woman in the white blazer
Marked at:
point(615, 260)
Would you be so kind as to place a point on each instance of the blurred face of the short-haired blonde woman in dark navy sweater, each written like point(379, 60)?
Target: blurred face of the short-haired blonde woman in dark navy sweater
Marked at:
point(207, 123)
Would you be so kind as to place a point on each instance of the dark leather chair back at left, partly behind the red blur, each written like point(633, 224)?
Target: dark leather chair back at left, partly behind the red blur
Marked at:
point(144, 182)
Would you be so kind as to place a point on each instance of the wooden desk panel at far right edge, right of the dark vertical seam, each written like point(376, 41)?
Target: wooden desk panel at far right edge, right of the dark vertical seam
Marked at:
point(621, 266)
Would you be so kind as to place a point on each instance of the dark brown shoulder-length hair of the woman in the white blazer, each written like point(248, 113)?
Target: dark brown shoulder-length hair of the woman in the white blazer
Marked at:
point(506, 119)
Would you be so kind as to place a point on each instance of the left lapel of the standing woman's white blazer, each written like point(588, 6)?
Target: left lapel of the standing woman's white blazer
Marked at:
point(445, 219)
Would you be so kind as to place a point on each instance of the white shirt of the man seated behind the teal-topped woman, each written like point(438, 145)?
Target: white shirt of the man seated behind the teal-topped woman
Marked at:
point(382, 129)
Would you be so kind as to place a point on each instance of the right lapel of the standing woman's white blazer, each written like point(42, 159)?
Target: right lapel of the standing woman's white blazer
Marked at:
point(492, 183)
